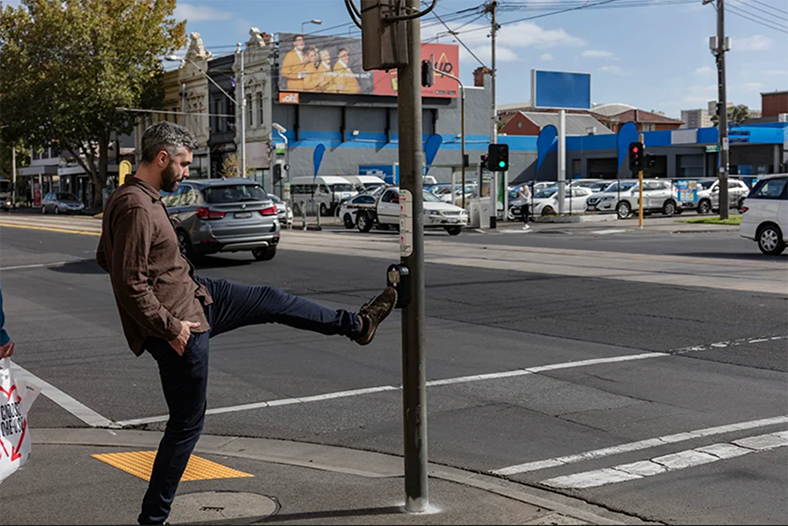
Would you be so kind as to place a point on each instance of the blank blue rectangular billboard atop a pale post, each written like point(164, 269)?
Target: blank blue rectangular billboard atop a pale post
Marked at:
point(560, 89)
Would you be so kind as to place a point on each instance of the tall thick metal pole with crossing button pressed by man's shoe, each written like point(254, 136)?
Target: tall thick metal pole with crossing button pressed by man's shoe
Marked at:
point(414, 390)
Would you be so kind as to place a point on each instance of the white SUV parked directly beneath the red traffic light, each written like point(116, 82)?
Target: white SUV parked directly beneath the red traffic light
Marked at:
point(623, 197)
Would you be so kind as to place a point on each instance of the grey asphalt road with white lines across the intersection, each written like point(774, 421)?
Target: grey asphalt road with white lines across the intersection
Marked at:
point(669, 360)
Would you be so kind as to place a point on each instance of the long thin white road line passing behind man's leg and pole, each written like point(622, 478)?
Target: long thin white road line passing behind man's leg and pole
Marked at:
point(370, 390)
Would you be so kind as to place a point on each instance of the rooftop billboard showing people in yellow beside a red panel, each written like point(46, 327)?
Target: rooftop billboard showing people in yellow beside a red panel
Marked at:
point(332, 64)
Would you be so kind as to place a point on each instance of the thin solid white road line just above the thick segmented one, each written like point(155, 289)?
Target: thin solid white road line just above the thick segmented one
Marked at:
point(639, 445)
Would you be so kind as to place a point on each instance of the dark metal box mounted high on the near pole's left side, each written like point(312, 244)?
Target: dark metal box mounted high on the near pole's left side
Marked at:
point(384, 44)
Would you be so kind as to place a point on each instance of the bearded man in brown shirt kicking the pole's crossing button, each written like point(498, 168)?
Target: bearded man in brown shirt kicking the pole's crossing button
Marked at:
point(168, 311)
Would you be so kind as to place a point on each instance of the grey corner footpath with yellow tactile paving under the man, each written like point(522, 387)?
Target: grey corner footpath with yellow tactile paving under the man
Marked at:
point(236, 480)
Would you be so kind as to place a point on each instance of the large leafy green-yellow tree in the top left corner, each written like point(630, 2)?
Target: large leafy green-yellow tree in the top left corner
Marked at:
point(66, 66)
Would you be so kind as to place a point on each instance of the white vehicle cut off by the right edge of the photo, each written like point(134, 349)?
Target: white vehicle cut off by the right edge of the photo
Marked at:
point(765, 214)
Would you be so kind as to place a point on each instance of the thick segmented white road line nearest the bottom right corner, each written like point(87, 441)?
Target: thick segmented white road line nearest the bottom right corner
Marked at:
point(674, 462)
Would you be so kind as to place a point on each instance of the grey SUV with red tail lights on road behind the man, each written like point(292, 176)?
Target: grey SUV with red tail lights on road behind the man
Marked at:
point(224, 215)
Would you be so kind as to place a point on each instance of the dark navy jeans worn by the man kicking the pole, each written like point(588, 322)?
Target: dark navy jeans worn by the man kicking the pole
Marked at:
point(185, 378)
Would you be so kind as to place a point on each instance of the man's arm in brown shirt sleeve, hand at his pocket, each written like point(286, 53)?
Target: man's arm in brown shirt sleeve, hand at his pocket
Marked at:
point(133, 235)
